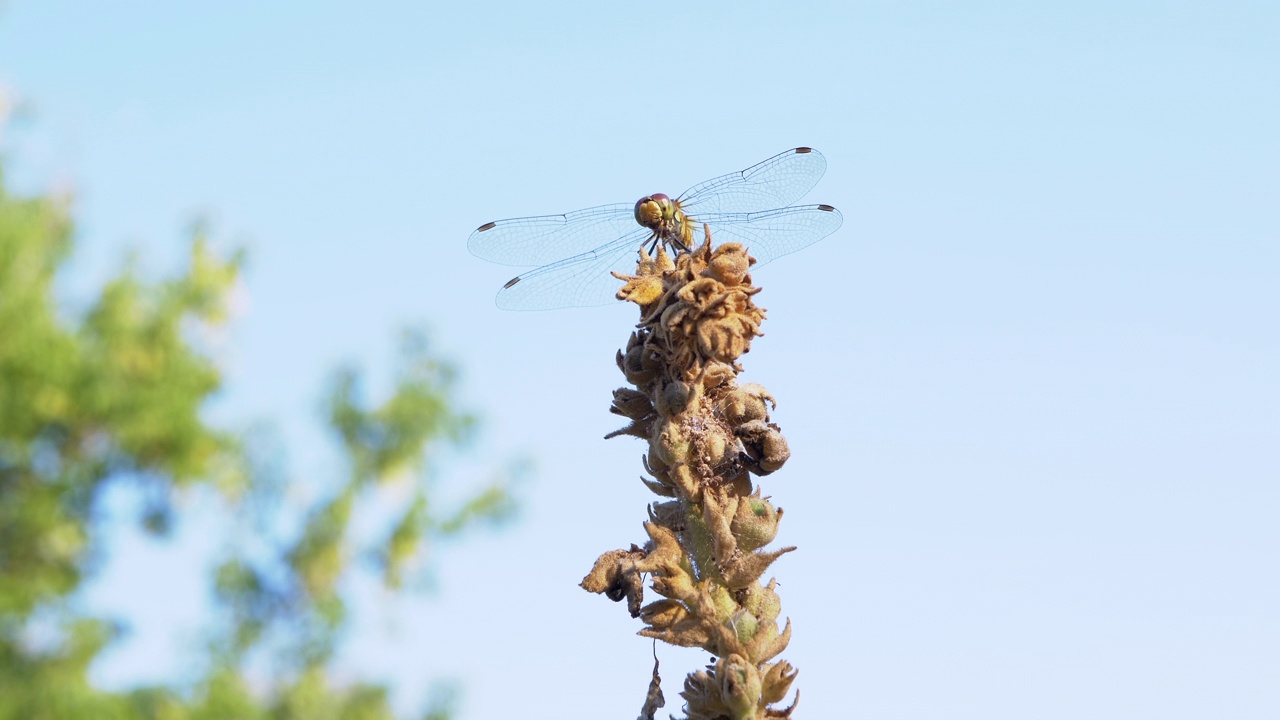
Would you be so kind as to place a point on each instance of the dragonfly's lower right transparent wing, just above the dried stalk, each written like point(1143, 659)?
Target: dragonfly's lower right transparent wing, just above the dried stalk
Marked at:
point(774, 234)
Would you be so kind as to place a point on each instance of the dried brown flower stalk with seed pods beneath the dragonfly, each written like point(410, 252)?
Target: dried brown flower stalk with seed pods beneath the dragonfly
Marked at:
point(707, 438)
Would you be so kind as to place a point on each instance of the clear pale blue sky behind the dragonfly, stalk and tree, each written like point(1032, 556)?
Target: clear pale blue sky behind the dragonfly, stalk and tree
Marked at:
point(1031, 386)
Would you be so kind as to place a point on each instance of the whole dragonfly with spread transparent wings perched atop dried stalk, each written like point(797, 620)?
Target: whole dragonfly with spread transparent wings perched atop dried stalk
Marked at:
point(575, 253)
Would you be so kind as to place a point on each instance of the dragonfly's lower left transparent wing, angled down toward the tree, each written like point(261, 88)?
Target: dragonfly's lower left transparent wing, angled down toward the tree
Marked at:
point(575, 282)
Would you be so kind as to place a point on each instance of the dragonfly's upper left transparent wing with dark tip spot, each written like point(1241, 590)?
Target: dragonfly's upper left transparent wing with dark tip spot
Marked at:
point(546, 239)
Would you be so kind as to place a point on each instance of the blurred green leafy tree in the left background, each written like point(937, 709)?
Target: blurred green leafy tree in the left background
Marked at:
point(115, 395)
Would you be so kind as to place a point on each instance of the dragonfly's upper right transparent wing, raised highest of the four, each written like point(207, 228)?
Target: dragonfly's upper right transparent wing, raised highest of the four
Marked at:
point(776, 183)
